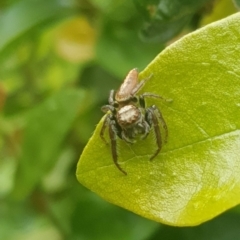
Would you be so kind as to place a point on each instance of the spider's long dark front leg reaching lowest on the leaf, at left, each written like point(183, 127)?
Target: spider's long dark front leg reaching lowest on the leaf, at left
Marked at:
point(113, 138)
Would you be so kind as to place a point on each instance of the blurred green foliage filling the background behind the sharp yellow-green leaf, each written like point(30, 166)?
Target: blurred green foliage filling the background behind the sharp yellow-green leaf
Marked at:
point(59, 59)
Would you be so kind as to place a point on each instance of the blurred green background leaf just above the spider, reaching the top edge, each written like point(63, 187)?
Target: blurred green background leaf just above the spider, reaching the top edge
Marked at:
point(124, 49)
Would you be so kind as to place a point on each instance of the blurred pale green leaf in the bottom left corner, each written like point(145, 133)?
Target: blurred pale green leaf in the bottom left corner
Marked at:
point(18, 221)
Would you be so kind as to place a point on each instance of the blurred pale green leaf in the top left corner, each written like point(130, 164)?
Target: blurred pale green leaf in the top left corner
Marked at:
point(25, 15)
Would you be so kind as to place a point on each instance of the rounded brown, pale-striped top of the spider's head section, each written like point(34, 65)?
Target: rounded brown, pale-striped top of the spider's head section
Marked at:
point(128, 116)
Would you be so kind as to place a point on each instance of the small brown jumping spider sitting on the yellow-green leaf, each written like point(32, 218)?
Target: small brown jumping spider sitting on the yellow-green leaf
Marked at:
point(128, 117)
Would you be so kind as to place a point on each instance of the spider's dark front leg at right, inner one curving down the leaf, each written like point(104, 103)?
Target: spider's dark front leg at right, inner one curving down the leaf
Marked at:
point(152, 119)
